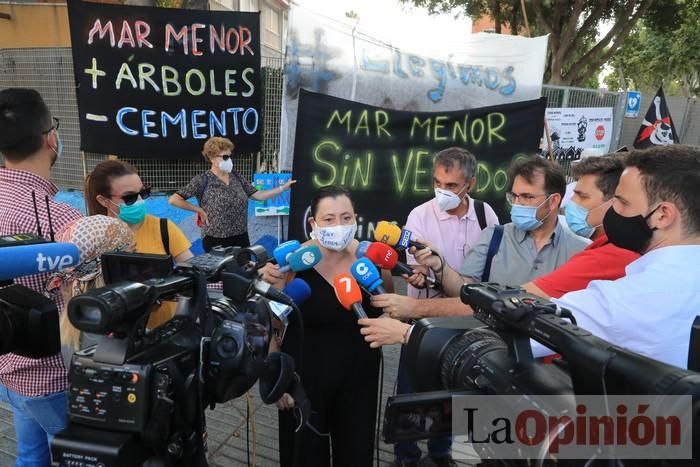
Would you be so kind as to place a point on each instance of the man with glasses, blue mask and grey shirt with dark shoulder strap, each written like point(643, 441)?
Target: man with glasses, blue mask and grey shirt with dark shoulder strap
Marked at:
point(532, 245)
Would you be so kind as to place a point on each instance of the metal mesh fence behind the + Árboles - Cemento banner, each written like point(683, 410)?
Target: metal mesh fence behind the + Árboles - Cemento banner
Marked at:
point(50, 71)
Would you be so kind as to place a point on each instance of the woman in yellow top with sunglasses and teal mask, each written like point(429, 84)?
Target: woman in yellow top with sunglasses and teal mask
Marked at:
point(115, 189)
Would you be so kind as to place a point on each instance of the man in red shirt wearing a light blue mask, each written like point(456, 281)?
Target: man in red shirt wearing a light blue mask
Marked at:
point(597, 178)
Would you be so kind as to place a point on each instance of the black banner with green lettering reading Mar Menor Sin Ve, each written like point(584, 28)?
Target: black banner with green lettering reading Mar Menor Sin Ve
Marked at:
point(385, 157)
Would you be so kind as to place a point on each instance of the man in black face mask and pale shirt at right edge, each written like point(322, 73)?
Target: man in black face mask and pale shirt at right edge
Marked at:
point(656, 212)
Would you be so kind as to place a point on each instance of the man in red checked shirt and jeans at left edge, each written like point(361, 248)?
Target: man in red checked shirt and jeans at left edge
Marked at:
point(30, 145)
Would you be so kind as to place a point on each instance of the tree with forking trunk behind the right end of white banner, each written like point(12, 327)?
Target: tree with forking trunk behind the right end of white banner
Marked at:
point(576, 53)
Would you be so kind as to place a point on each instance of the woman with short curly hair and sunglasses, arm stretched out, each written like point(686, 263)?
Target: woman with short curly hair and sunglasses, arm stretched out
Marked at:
point(222, 195)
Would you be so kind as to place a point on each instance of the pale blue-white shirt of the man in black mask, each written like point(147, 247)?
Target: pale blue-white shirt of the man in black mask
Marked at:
point(649, 311)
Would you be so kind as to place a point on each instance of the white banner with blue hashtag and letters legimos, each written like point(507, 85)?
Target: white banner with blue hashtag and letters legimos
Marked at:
point(331, 57)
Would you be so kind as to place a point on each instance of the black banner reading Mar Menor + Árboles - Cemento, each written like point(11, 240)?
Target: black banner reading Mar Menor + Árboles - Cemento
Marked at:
point(158, 82)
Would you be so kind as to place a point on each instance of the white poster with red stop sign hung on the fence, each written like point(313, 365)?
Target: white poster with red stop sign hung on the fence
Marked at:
point(574, 129)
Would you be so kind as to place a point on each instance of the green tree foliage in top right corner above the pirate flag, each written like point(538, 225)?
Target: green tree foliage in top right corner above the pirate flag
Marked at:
point(653, 56)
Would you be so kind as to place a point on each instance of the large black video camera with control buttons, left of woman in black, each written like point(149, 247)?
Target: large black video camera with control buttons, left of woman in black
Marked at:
point(138, 396)
